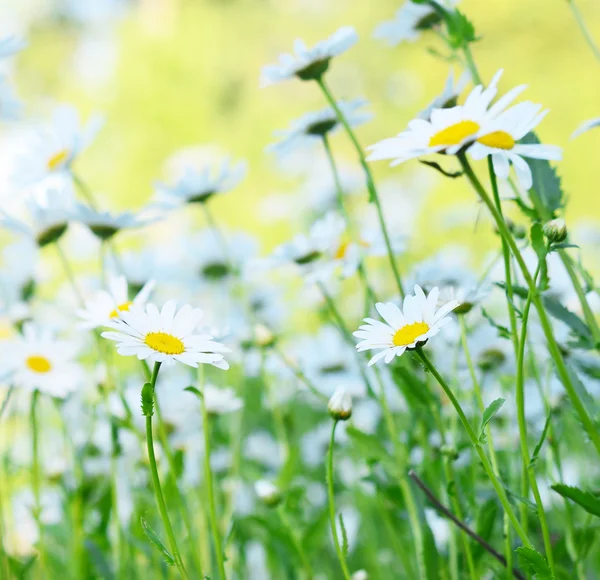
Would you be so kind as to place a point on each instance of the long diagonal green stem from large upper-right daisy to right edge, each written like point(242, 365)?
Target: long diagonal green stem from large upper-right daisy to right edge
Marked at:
point(553, 347)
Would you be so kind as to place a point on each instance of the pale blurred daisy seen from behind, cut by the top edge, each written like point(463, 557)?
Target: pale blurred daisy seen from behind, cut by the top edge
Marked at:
point(408, 23)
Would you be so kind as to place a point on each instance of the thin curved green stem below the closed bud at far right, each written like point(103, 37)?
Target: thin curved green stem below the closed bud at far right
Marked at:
point(520, 397)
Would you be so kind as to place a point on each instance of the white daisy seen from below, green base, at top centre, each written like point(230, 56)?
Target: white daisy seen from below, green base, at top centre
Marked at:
point(309, 63)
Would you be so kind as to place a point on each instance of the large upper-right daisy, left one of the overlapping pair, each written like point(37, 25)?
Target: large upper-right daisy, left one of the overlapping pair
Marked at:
point(447, 130)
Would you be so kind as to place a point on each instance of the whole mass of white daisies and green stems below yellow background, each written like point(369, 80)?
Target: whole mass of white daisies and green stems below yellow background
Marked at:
point(236, 459)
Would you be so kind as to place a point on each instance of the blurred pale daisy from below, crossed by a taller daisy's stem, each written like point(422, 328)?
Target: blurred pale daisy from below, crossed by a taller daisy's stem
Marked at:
point(312, 127)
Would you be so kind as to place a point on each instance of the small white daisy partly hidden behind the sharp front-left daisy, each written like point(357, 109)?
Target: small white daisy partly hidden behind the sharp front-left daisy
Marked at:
point(107, 304)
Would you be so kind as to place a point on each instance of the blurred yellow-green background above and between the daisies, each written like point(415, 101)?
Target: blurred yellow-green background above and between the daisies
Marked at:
point(172, 74)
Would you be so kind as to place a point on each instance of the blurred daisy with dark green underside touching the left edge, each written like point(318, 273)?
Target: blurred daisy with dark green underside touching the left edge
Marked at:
point(49, 218)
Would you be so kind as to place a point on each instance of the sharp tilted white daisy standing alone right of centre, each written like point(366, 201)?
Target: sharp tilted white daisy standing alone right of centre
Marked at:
point(404, 328)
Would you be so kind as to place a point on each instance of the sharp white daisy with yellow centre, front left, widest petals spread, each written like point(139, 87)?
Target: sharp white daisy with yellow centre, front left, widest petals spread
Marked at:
point(165, 336)
